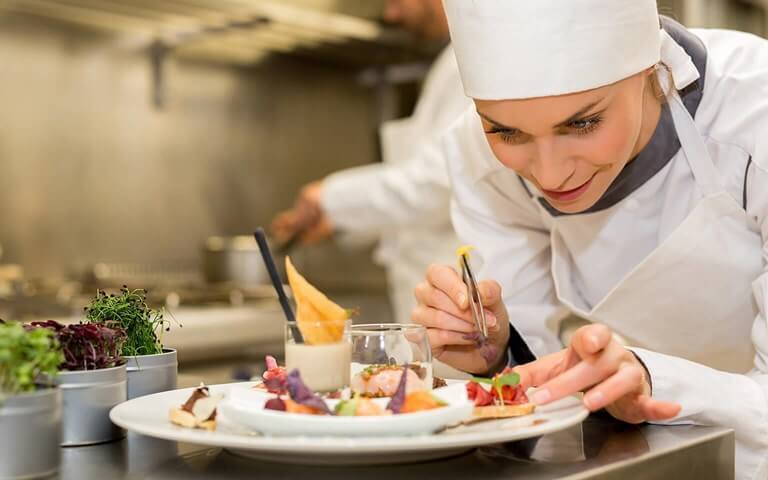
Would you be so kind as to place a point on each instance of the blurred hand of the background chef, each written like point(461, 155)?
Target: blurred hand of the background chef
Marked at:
point(306, 216)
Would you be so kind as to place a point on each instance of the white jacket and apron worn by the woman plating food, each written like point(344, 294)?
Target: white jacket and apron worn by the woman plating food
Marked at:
point(672, 257)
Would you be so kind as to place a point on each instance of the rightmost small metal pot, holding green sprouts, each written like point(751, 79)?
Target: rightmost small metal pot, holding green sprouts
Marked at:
point(149, 374)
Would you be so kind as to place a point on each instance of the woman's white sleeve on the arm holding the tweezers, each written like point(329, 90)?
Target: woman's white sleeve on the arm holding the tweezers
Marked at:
point(495, 214)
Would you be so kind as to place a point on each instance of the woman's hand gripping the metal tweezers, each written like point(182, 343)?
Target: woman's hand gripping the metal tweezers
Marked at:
point(443, 307)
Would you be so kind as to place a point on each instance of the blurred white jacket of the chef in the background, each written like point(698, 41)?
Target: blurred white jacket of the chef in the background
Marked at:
point(406, 199)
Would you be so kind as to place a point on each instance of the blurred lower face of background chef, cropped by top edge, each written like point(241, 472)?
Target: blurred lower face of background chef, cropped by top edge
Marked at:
point(424, 18)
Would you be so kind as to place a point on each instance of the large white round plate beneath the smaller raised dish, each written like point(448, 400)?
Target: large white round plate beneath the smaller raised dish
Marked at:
point(149, 416)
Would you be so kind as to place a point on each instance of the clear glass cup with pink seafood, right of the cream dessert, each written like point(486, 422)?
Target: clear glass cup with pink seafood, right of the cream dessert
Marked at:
point(385, 345)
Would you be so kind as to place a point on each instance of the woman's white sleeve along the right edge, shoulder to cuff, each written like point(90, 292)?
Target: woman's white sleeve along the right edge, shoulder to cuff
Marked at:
point(736, 89)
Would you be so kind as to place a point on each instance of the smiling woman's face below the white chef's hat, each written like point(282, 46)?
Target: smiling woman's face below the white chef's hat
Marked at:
point(572, 147)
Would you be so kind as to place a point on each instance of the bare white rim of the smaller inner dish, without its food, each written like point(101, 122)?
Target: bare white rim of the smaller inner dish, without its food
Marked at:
point(245, 406)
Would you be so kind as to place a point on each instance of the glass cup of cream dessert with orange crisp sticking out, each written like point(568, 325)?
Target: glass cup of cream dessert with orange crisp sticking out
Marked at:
point(323, 358)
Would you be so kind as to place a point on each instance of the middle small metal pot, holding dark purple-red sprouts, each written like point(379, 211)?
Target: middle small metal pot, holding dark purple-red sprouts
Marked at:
point(88, 396)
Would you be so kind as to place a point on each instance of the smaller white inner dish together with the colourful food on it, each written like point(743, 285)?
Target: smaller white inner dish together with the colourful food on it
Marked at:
point(283, 405)
